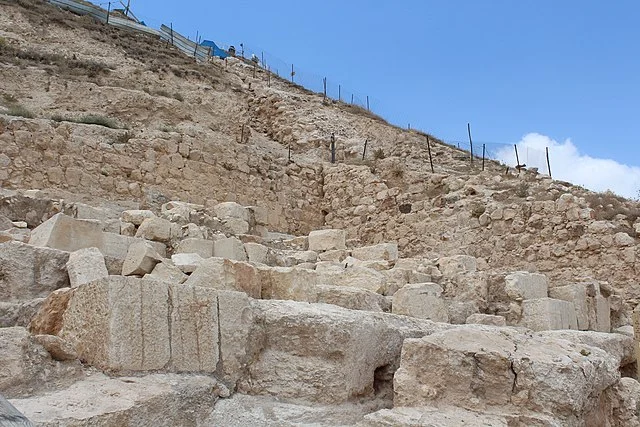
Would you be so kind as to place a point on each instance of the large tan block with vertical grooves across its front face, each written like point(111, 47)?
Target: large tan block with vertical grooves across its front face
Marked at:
point(124, 323)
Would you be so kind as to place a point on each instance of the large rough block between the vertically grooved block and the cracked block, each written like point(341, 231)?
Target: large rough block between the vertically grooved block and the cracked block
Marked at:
point(323, 353)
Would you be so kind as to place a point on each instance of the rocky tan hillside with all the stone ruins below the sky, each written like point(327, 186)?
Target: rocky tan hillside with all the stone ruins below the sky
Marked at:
point(176, 249)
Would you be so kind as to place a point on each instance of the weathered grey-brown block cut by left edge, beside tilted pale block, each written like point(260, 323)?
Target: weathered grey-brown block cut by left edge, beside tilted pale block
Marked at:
point(29, 272)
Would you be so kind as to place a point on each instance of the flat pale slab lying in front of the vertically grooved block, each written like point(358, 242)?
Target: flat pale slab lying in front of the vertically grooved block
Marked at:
point(163, 400)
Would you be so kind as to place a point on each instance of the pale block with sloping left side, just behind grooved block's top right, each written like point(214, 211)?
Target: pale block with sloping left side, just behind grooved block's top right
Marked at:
point(226, 274)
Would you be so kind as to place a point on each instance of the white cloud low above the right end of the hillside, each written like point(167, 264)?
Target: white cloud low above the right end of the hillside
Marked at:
point(568, 164)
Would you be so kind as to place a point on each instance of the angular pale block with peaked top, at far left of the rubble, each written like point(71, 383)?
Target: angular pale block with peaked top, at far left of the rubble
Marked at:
point(68, 234)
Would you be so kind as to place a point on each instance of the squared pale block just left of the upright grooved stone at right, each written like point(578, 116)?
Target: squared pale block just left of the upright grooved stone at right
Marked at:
point(547, 314)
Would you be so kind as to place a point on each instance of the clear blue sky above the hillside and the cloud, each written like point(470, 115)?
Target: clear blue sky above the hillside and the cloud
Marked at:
point(565, 69)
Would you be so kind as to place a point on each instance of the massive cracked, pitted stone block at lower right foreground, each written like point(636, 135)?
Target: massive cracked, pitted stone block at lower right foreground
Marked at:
point(483, 368)
